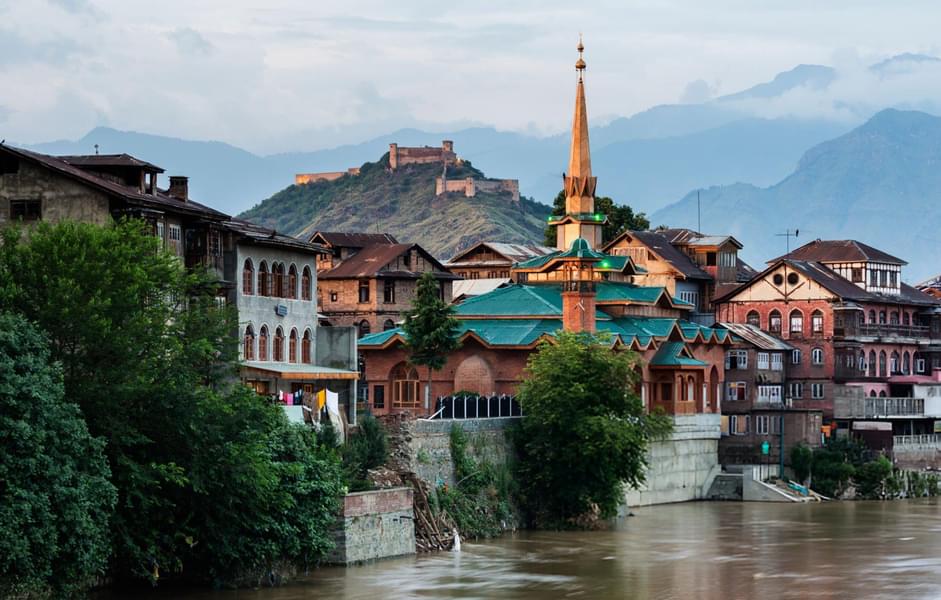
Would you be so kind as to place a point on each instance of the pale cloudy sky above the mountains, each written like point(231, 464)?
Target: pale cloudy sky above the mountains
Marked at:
point(284, 75)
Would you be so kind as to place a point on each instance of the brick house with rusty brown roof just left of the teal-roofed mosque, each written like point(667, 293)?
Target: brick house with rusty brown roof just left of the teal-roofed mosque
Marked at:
point(369, 281)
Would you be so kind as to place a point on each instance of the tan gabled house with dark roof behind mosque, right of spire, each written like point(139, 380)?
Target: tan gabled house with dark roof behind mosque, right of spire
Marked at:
point(694, 267)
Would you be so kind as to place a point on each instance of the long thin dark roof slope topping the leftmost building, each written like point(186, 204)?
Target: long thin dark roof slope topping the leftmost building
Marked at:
point(159, 201)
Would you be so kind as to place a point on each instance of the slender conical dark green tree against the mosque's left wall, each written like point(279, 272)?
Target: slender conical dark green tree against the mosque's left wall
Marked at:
point(430, 327)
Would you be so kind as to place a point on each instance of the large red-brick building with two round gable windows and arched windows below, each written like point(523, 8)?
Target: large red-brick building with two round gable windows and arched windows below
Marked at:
point(856, 328)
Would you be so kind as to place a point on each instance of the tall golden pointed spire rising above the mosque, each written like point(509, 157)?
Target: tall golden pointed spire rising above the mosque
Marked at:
point(580, 220)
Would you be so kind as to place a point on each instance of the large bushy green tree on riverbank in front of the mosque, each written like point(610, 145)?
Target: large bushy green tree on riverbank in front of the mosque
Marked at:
point(585, 433)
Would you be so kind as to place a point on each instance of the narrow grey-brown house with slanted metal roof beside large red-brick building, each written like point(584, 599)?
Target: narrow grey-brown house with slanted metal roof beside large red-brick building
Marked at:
point(755, 407)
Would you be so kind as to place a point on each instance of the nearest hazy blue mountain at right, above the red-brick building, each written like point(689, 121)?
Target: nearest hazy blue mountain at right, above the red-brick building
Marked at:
point(880, 184)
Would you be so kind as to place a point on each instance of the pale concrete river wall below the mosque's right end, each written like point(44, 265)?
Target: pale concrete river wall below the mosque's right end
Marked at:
point(681, 468)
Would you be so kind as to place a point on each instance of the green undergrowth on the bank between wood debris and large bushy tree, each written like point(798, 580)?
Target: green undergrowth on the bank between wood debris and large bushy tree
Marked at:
point(479, 502)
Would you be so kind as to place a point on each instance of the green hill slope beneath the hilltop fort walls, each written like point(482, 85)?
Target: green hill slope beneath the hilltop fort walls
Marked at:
point(403, 203)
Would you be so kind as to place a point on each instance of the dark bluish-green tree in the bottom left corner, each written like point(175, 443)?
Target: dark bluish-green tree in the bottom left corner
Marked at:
point(55, 497)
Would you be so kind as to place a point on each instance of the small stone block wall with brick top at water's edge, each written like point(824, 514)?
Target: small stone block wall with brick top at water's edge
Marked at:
point(374, 525)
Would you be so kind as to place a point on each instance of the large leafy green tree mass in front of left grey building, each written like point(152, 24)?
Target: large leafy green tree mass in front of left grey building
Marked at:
point(213, 484)
